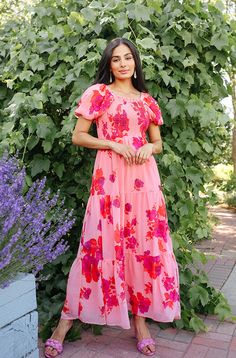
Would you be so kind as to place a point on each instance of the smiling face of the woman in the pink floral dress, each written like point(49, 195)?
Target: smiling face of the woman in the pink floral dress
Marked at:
point(122, 62)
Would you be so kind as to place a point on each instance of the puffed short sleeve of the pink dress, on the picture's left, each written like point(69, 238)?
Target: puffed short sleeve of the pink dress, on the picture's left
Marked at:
point(94, 102)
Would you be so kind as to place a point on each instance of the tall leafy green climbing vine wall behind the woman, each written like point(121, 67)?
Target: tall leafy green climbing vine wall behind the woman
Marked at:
point(48, 61)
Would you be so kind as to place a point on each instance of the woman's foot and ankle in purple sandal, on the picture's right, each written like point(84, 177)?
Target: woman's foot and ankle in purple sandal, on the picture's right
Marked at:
point(142, 333)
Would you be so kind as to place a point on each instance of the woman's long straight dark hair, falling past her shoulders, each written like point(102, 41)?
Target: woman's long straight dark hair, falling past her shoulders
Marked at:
point(103, 73)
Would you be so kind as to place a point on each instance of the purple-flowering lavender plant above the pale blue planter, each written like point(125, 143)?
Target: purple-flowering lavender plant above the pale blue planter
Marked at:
point(32, 224)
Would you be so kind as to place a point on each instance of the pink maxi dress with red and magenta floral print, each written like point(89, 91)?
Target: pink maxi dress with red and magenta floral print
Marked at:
point(125, 260)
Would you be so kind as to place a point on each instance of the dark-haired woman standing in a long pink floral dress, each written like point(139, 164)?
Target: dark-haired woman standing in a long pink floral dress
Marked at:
point(125, 260)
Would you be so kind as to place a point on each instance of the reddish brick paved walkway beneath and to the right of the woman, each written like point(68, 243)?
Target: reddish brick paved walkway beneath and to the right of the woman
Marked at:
point(218, 342)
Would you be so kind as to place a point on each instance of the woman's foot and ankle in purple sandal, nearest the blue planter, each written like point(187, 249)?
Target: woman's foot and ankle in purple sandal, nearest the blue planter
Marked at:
point(59, 335)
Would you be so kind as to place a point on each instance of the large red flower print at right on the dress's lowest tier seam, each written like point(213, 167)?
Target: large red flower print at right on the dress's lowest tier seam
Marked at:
point(152, 264)
